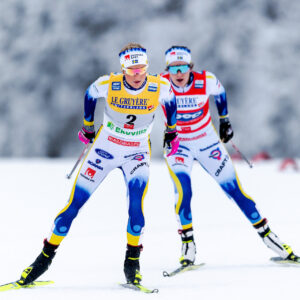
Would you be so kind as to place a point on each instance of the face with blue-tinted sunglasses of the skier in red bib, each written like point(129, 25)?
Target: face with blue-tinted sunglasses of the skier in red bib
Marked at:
point(179, 73)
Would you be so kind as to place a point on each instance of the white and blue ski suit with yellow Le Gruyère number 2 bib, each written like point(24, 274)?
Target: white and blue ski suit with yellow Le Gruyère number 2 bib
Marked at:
point(122, 142)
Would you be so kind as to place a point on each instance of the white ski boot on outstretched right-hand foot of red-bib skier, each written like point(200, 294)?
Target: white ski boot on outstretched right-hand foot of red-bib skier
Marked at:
point(272, 241)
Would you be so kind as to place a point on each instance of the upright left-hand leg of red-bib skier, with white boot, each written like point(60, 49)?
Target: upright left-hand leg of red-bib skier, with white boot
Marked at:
point(180, 167)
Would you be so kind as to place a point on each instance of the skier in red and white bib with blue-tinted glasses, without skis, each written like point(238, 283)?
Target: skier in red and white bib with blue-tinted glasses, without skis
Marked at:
point(199, 141)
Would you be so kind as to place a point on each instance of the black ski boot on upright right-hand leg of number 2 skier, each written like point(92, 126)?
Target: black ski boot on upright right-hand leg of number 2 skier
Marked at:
point(132, 264)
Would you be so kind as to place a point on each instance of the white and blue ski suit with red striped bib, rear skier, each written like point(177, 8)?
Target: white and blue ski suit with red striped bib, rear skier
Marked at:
point(199, 141)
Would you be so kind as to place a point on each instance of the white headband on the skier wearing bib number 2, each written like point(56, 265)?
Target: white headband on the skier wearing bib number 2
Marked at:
point(132, 57)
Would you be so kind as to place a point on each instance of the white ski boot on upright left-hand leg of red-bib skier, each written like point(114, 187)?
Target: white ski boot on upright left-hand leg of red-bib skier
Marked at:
point(188, 248)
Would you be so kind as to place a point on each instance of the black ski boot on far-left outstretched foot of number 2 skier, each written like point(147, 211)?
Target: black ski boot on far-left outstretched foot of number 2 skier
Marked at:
point(40, 265)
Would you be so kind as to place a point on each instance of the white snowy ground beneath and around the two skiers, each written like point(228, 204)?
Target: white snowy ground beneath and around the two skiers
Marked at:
point(89, 262)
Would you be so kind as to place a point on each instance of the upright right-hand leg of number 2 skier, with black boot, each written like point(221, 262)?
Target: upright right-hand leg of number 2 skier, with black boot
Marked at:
point(136, 175)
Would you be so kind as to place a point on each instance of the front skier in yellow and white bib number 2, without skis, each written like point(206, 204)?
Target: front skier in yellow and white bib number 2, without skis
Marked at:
point(132, 98)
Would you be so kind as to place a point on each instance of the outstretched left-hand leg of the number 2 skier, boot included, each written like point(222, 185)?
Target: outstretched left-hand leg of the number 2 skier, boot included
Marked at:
point(87, 180)
